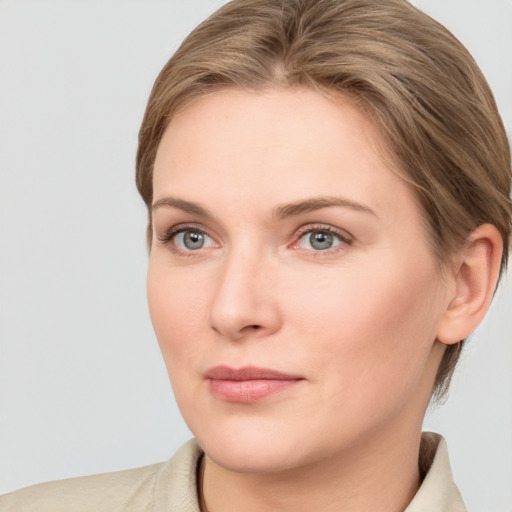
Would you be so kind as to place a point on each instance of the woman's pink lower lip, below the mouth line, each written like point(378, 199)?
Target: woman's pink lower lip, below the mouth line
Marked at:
point(249, 391)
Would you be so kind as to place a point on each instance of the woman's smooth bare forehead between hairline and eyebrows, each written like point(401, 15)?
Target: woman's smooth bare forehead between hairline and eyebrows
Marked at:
point(274, 146)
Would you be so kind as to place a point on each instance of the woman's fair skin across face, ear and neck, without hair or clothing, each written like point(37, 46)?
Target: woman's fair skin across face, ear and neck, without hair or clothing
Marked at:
point(281, 241)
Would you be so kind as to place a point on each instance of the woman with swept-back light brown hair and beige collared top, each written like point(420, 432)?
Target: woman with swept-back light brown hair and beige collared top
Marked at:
point(328, 194)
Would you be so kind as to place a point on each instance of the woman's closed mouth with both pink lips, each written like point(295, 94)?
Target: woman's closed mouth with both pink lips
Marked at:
point(248, 385)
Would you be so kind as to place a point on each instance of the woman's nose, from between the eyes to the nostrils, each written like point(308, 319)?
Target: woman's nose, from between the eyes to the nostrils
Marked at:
point(244, 304)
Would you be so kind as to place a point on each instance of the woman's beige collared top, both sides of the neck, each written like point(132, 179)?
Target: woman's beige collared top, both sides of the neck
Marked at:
point(172, 487)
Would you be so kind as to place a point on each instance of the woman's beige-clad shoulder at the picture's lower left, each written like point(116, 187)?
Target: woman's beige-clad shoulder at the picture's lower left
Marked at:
point(135, 490)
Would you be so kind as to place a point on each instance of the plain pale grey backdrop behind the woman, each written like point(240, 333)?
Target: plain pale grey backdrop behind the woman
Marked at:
point(82, 385)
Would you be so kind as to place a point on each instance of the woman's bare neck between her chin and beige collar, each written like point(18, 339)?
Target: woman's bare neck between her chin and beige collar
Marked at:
point(379, 475)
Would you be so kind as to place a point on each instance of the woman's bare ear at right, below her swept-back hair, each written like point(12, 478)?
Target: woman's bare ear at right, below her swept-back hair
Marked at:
point(475, 277)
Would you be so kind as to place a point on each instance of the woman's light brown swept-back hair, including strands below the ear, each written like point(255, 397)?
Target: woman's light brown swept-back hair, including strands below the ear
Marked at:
point(404, 70)
